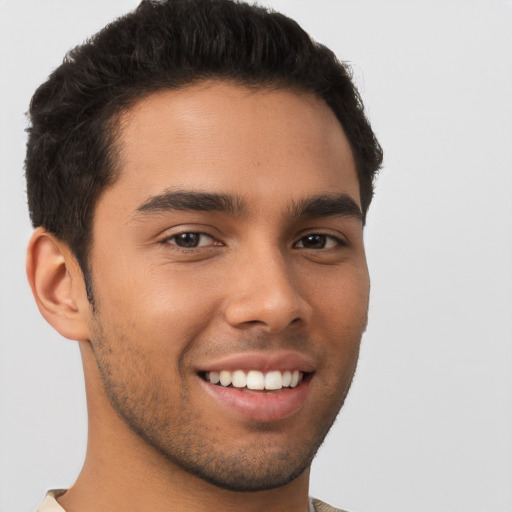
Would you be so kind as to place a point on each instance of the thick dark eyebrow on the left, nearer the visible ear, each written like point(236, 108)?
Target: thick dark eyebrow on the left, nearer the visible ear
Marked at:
point(192, 201)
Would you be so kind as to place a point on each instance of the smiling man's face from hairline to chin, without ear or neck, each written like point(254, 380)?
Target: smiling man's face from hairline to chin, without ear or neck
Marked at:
point(230, 246)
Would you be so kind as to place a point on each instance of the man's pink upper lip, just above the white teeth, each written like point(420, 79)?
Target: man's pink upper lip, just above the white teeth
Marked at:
point(262, 361)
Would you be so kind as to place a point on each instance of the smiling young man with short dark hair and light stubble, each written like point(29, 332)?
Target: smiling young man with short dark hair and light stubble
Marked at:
point(199, 174)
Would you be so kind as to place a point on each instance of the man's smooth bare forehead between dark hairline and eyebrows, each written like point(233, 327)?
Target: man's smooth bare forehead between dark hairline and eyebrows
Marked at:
point(220, 137)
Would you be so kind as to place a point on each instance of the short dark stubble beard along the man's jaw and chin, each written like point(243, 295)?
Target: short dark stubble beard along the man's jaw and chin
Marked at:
point(182, 438)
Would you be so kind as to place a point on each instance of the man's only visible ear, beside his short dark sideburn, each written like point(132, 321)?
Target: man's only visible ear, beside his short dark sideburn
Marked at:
point(58, 285)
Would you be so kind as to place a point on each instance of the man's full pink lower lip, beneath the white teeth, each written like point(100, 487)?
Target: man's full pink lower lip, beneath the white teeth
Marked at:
point(260, 406)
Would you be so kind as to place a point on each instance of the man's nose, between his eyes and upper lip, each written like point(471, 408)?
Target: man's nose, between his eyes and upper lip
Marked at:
point(264, 292)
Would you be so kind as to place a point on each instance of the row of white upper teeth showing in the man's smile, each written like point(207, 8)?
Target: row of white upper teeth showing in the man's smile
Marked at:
point(255, 379)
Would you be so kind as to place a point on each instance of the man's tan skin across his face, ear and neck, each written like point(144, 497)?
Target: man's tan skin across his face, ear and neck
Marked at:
point(255, 284)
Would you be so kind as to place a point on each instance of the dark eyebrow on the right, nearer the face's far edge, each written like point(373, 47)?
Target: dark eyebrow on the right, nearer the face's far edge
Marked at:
point(327, 206)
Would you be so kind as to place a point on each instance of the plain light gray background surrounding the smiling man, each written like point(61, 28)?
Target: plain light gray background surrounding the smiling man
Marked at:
point(428, 423)
